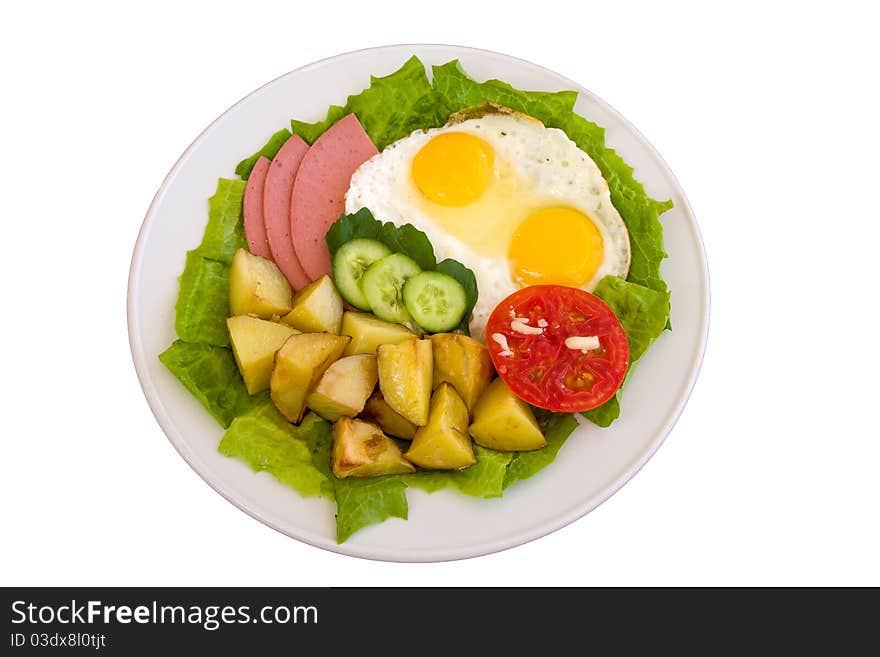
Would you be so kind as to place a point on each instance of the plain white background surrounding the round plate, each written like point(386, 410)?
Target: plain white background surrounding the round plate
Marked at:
point(767, 114)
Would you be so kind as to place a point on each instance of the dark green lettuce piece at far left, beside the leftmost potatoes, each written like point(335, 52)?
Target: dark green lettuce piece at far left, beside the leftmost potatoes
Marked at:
point(211, 375)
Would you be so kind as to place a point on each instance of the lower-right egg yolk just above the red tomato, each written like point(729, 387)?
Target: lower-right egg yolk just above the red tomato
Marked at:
point(556, 246)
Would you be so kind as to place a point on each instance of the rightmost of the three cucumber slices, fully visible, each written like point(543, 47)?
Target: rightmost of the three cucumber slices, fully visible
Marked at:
point(436, 302)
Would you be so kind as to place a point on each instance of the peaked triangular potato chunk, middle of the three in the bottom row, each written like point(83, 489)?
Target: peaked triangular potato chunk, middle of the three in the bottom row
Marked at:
point(443, 444)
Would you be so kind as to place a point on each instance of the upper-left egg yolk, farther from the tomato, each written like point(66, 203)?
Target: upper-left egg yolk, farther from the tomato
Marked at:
point(454, 168)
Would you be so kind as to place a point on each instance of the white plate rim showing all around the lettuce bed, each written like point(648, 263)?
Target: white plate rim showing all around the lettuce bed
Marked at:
point(399, 555)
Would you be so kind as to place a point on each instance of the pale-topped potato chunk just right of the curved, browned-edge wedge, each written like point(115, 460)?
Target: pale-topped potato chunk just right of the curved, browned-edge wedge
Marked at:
point(344, 387)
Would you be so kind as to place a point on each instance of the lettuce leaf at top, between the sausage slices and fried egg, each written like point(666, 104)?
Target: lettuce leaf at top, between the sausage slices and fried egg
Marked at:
point(390, 108)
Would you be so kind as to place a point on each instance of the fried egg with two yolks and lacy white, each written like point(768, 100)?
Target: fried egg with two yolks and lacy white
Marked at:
point(518, 203)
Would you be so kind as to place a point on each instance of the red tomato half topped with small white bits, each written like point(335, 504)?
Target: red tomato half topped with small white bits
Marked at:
point(539, 367)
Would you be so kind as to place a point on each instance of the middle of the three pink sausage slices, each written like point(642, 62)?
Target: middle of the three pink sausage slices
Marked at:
point(276, 209)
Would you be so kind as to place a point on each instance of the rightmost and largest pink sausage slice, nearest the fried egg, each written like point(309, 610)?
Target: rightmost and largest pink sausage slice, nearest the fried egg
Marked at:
point(319, 190)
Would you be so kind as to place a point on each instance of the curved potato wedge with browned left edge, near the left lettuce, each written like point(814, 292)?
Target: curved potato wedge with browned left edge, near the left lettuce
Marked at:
point(299, 364)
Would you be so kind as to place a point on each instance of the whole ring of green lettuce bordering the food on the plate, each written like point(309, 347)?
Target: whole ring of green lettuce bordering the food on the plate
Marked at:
point(299, 456)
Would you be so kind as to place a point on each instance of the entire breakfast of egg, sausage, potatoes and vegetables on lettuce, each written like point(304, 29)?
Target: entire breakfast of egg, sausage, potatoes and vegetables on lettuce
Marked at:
point(455, 264)
